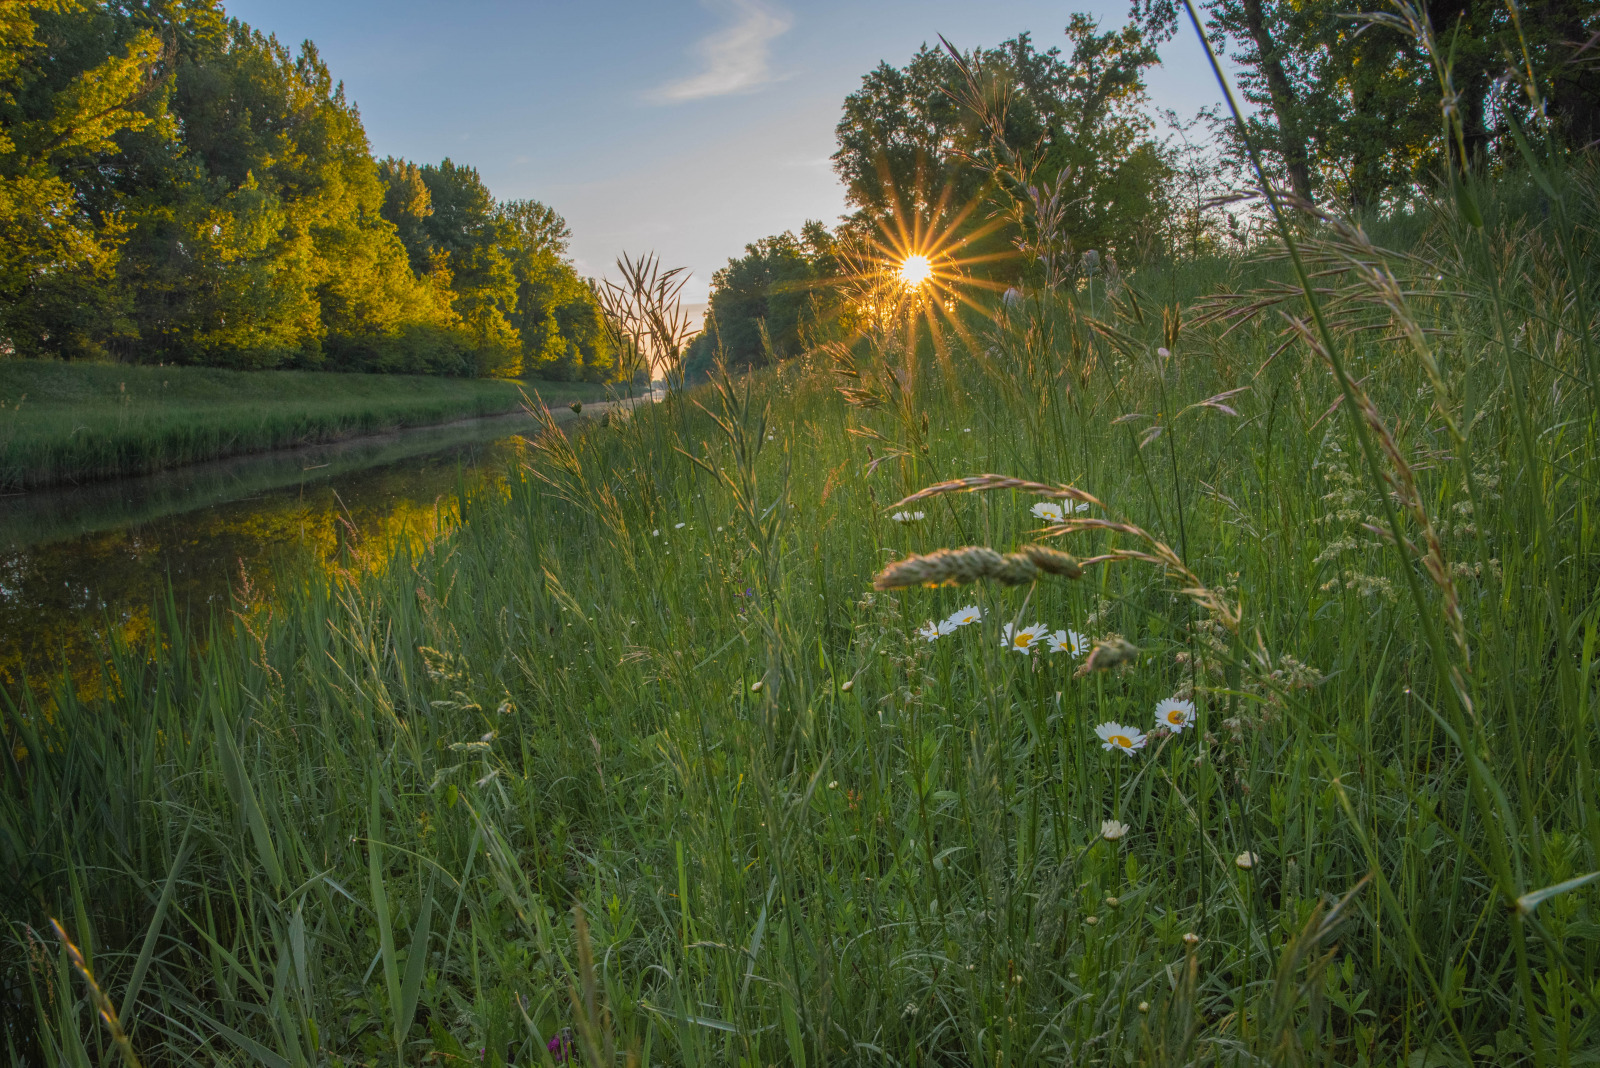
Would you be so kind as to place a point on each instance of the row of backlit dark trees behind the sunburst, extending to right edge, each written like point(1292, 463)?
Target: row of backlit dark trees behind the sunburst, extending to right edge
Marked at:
point(1346, 108)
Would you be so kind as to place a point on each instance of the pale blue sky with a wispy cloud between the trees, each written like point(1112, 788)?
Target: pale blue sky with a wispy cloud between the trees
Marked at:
point(681, 127)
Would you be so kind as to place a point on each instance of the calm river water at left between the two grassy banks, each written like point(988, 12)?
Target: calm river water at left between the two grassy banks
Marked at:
point(86, 564)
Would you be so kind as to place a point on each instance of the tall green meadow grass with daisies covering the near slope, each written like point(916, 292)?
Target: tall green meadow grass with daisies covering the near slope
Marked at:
point(650, 679)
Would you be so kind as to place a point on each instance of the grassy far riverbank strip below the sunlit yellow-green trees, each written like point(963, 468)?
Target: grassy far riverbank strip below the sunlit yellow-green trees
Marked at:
point(71, 423)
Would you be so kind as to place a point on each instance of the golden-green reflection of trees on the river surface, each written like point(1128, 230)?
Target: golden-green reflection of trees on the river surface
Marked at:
point(62, 599)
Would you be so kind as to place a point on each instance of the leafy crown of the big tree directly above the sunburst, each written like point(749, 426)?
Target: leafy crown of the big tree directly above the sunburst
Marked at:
point(906, 145)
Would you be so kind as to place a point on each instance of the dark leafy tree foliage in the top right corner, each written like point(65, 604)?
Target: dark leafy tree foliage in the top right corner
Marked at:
point(1348, 106)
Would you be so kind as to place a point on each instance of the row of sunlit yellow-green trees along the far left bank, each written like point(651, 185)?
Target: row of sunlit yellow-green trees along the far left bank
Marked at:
point(178, 188)
